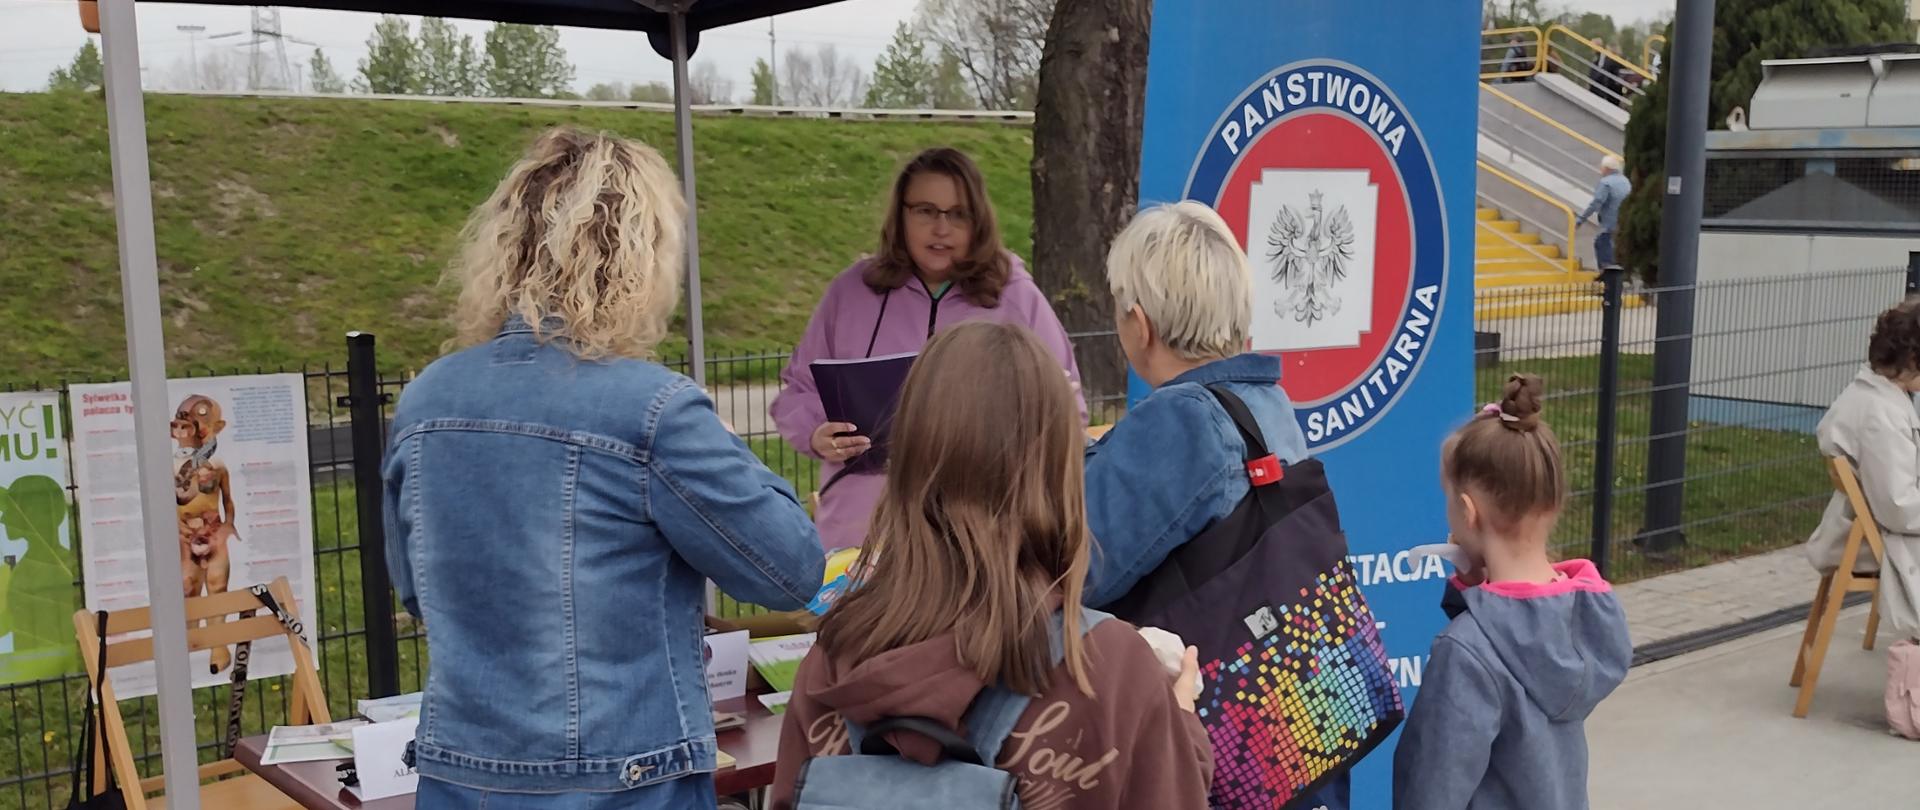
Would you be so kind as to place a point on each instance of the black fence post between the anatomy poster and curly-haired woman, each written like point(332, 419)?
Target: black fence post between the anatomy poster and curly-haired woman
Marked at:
point(370, 450)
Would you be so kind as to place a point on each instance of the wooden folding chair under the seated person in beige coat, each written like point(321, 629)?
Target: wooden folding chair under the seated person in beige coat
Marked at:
point(1838, 584)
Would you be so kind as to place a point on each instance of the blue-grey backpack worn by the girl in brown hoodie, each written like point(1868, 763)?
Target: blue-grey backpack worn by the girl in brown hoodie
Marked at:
point(878, 778)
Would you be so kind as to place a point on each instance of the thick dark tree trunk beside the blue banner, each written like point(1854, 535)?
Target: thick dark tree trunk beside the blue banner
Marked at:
point(1088, 172)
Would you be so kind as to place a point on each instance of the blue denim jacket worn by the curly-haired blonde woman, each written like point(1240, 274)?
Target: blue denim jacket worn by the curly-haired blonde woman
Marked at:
point(552, 523)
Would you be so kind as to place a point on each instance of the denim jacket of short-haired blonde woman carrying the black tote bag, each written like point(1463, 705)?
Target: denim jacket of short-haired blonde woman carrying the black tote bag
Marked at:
point(1176, 465)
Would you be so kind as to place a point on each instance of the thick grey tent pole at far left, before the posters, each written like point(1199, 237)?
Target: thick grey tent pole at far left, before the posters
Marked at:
point(147, 358)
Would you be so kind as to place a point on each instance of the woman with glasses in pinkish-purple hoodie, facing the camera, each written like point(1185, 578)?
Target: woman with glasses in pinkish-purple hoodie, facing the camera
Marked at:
point(940, 264)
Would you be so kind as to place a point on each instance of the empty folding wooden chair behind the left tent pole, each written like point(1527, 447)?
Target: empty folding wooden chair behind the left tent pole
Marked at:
point(220, 786)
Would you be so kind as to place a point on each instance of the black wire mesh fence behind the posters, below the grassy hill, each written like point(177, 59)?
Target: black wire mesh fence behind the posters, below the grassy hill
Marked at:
point(364, 644)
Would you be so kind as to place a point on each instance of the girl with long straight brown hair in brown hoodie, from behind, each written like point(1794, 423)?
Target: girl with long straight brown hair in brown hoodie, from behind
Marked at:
point(974, 573)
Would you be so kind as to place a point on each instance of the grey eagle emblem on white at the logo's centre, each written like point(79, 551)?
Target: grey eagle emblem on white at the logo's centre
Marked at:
point(1308, 256)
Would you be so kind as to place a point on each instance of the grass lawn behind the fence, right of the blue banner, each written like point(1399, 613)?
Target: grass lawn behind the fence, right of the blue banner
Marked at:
point(1750, 488)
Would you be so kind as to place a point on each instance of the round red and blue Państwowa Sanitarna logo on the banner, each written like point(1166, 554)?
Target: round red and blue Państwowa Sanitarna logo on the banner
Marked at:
point(1332, 189)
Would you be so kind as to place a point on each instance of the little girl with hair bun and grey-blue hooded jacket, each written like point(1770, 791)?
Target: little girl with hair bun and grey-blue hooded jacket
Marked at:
point(1533, 646)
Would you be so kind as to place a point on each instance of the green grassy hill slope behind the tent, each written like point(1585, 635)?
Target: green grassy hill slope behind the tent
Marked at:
point(285, 224)
